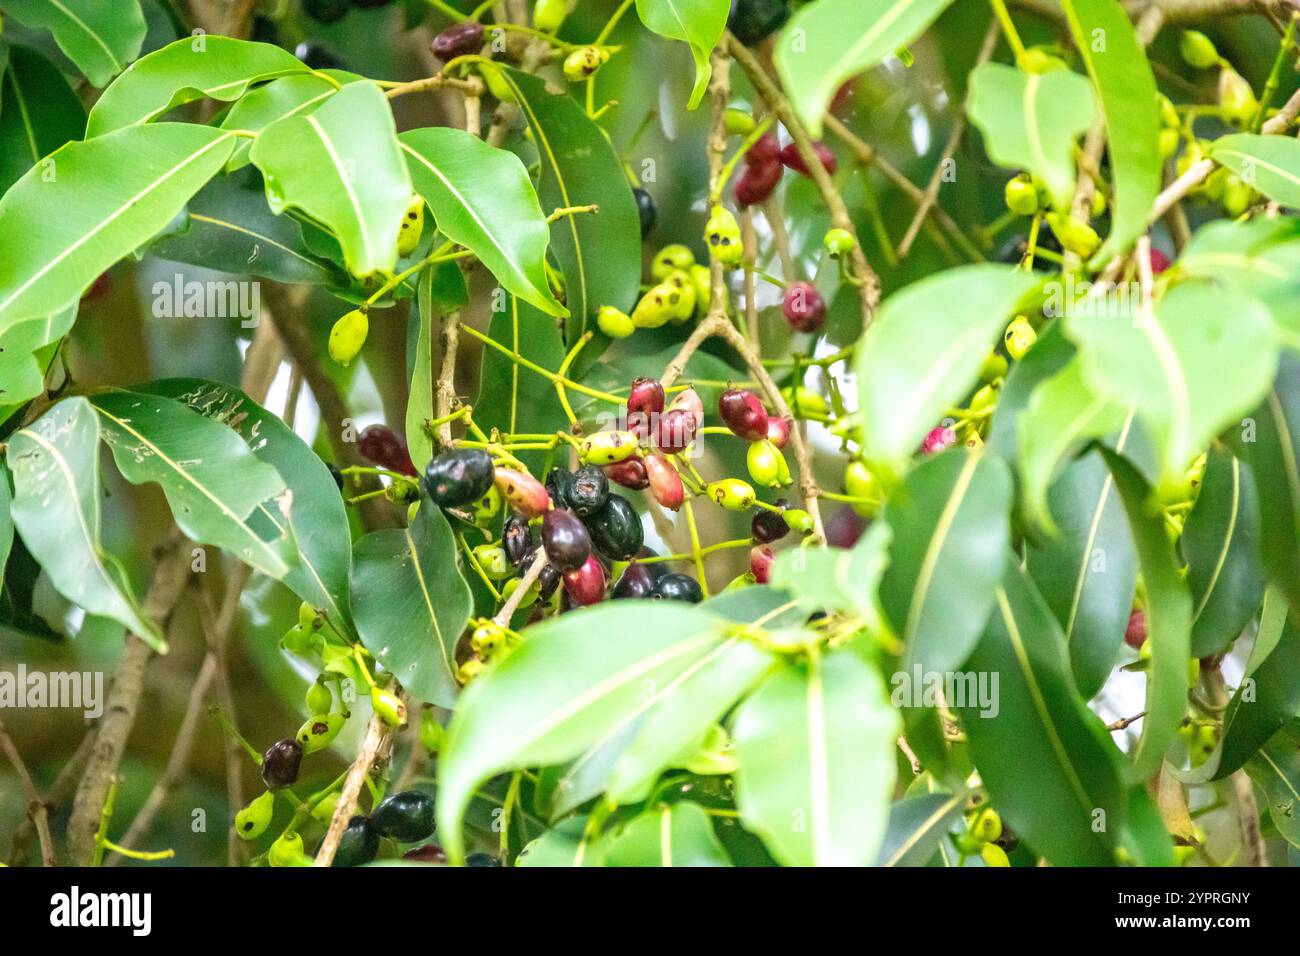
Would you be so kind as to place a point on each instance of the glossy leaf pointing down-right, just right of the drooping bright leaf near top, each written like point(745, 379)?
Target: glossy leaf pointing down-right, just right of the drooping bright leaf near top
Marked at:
point(483, 200)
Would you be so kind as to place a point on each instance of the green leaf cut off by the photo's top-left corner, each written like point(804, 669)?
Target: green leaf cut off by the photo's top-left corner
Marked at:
point(99, 38)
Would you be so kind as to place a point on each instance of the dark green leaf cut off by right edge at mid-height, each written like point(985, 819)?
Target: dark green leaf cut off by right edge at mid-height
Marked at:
point(1269, 440)
